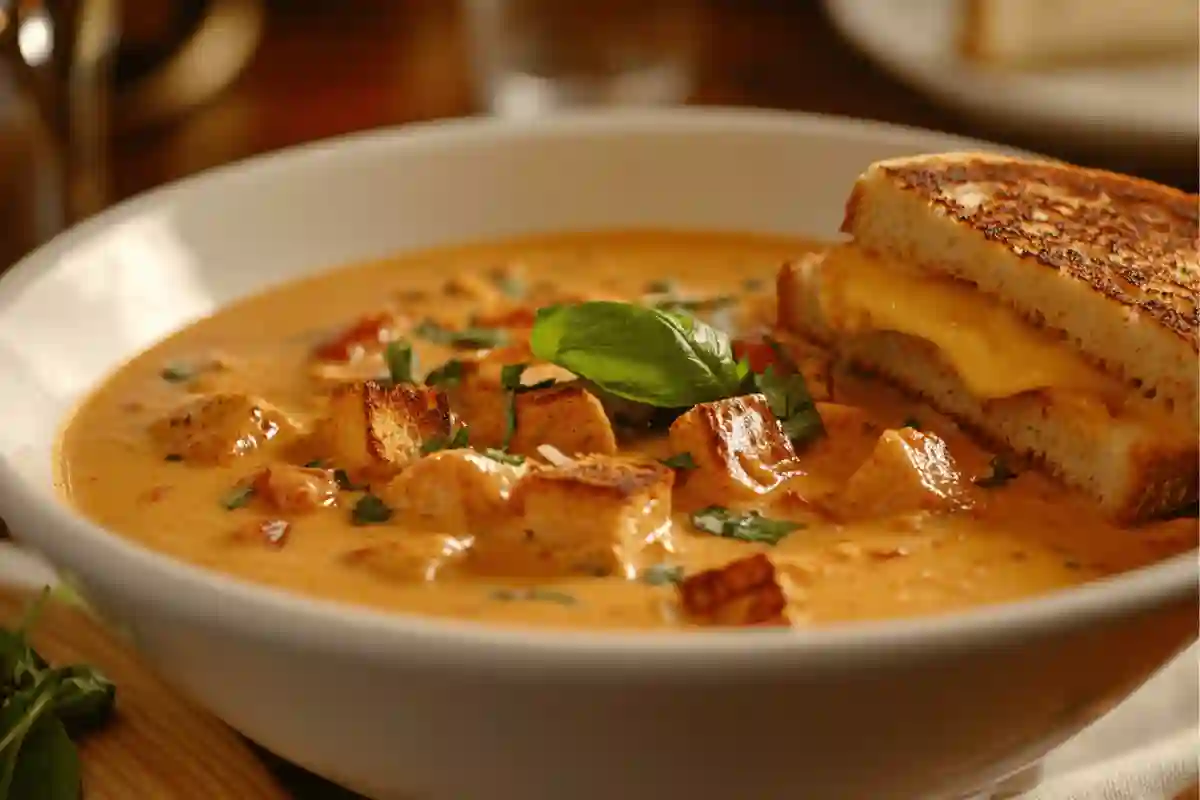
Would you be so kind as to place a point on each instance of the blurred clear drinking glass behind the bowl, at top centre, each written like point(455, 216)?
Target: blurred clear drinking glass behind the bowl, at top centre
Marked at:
point(533, 57)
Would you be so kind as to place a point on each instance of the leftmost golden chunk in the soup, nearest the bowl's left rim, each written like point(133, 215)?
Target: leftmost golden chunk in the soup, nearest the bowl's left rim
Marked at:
point(219, 429)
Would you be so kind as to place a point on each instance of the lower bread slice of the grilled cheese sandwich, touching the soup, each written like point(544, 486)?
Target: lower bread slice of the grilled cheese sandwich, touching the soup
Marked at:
point(1131, 464)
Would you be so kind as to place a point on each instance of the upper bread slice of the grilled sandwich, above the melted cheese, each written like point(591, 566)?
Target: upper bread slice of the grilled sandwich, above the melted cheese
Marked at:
point(1107, 262)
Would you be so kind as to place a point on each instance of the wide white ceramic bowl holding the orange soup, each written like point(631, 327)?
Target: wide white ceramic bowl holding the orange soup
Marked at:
point(400, 707)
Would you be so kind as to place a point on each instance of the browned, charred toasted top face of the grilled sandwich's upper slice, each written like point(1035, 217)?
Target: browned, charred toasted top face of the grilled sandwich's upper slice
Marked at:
point(1131, 240)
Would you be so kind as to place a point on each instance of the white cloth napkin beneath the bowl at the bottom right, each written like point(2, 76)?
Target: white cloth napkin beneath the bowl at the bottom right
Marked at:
point(1148, 749)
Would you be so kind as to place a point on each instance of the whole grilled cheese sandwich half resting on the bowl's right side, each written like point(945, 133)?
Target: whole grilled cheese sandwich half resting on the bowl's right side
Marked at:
point(1051, 309)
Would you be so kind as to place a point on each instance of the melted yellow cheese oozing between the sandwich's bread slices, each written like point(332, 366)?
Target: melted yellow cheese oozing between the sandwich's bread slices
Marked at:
point(994, 352)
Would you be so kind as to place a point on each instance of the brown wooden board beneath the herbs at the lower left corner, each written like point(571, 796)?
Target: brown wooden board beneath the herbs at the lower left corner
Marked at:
point(159, 745)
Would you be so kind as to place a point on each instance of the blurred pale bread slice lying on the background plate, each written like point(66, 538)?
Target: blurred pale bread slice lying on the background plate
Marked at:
point(1035, 33)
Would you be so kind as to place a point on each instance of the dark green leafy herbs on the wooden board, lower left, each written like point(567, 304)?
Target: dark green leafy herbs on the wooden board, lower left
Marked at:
point(43, 708)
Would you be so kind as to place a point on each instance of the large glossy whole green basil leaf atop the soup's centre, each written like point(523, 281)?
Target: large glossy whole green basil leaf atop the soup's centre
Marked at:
point(638, 353)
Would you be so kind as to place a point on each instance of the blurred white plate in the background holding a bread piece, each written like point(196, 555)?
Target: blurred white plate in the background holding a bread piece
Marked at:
point(1153, 110)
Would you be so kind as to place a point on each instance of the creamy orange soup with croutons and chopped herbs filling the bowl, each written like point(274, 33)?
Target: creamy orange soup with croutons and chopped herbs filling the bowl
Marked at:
point(238, 444)
